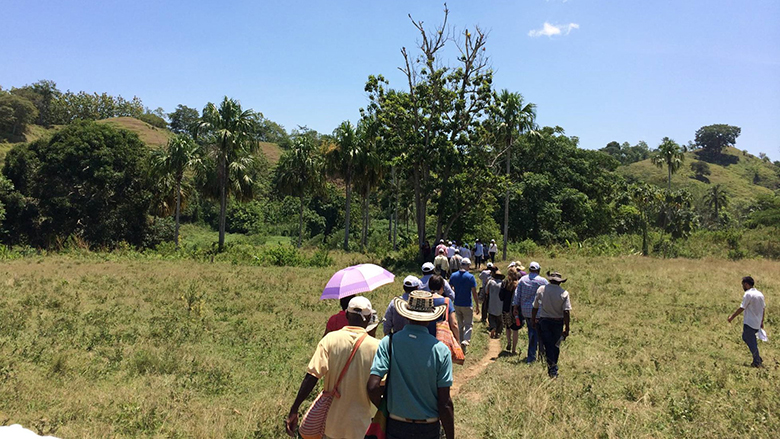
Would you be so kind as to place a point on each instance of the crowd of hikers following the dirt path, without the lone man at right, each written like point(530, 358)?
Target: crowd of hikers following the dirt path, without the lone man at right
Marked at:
point(409, 372)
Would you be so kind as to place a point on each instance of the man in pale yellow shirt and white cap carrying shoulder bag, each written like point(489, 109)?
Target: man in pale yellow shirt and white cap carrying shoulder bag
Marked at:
point(351, 412)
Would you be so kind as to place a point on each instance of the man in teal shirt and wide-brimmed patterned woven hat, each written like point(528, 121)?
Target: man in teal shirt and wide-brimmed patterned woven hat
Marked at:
point(419, 374)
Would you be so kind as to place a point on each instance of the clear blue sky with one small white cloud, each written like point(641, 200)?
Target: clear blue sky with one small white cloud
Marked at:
point(603, 70)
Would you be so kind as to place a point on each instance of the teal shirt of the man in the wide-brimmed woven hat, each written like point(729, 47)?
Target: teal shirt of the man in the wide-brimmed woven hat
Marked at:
point(420, 365)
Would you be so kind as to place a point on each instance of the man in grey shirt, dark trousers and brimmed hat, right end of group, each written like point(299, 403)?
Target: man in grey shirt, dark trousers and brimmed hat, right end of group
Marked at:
point(550, 317)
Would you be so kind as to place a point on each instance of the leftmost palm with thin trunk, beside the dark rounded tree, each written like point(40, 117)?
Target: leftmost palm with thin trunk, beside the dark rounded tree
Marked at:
point(181, 153)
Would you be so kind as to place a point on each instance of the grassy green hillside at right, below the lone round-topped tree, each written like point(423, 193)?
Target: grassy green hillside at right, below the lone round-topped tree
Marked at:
point(743, 175)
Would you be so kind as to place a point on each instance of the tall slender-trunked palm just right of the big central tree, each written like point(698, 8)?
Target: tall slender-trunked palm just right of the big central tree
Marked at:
point(514, 117)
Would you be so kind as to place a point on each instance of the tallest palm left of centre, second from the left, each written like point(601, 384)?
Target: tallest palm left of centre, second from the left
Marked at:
point(229, 131)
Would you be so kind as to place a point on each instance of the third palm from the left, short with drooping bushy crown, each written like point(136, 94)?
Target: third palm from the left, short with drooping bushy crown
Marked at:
point(299, 173)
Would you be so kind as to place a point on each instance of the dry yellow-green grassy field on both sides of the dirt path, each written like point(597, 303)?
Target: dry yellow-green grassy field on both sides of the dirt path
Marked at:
point(181, 349)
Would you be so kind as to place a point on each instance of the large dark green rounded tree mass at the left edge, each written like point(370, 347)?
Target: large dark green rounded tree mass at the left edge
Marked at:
point(87, 180)
